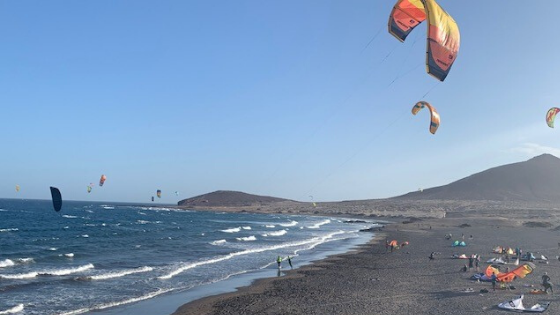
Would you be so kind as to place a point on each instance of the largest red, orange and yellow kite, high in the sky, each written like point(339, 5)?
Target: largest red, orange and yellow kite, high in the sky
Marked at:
point(443, 33)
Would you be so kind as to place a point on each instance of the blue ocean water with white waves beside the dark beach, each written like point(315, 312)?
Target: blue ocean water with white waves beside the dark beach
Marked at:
point(100, 256)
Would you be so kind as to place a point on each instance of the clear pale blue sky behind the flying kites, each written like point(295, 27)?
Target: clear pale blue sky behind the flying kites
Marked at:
point(294, 99)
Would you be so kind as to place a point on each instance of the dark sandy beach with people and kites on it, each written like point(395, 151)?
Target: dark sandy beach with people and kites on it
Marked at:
point(372, 280)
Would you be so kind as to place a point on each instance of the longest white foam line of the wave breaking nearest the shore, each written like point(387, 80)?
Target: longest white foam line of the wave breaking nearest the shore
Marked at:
point(311, 243)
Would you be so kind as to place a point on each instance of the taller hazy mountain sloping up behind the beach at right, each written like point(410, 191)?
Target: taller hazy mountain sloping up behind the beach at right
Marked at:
point(535, 180)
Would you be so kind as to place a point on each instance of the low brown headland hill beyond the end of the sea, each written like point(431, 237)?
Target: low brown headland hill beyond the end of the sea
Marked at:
point(225, 198)
